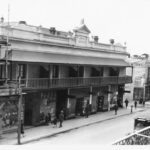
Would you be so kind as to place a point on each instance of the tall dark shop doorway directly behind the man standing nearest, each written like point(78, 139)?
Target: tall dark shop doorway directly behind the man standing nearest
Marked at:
point(61, 102)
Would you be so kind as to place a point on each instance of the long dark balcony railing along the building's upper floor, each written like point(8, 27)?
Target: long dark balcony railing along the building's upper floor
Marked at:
point(44, 83)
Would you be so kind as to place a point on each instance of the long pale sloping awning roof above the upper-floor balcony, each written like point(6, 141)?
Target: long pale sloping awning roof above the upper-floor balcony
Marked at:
point(28, 56)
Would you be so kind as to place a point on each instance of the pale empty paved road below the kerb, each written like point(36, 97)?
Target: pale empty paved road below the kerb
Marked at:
point(101, 133)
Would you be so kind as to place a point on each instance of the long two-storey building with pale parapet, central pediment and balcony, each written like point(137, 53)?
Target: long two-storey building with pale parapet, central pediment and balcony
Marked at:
point(62, 70)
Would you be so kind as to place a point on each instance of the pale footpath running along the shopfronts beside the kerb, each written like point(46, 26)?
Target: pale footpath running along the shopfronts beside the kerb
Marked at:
point(41, 132)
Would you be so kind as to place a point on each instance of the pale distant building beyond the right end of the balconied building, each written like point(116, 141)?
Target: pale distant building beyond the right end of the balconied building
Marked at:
point(140, 75)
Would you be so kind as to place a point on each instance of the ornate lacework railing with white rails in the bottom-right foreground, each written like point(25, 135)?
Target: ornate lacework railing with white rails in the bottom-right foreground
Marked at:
point(141, 137)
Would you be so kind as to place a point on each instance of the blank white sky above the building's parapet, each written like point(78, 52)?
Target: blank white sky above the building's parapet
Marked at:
point(126, 21)
